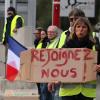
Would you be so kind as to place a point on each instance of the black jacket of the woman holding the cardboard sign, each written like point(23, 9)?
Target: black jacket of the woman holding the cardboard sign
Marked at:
point(82, 43)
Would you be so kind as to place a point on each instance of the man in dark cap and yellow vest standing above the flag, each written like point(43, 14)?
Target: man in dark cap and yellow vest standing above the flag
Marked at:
point(13, 22)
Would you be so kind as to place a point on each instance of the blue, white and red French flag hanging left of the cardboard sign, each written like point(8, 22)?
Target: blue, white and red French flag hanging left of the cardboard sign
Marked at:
point(13, 58)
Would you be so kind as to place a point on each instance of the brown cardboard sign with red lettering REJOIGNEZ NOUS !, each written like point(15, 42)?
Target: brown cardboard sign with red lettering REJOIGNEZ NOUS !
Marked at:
point(65, 65)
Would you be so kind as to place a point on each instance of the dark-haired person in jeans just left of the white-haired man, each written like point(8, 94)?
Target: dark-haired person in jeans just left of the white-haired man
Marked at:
point(44, 93)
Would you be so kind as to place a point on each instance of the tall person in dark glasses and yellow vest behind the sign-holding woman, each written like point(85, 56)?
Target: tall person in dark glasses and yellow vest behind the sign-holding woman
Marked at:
point(73, 16)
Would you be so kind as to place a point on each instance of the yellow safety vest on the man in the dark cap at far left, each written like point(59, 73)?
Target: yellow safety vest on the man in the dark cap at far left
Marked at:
point(13, 26)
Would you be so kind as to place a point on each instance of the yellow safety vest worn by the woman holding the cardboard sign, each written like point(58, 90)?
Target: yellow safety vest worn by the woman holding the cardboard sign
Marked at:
point(87, 89)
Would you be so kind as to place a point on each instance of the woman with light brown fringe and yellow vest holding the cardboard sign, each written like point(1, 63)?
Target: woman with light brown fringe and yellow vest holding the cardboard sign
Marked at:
point(81, 38)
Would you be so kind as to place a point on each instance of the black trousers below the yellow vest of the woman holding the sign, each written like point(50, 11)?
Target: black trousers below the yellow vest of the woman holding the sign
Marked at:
point(76, 97)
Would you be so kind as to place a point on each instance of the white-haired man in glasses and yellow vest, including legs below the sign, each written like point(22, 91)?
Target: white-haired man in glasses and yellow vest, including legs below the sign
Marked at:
point(53, 36)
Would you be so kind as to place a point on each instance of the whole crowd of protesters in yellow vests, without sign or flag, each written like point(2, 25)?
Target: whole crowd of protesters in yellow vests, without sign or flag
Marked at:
point(79, 35)
